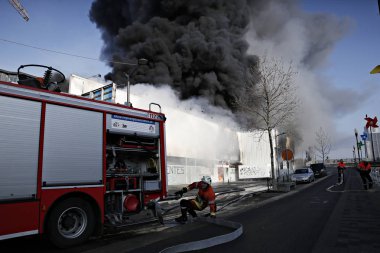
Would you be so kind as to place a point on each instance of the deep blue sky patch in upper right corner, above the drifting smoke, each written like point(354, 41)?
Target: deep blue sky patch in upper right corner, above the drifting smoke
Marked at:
point(360, 43)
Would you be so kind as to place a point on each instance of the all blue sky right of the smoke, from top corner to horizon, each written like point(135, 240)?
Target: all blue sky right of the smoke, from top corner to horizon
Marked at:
point(349, 64)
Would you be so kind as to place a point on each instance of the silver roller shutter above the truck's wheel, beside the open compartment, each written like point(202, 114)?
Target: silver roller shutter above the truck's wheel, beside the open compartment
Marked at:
point(72, 146)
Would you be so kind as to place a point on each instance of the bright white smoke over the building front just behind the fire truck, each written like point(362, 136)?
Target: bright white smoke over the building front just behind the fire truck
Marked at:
point(194, 128)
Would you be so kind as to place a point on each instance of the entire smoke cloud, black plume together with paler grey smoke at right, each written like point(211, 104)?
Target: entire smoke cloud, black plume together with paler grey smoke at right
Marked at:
point(202, 48)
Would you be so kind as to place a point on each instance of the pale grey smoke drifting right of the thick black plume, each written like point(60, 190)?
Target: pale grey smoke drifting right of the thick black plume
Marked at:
point(280, 29)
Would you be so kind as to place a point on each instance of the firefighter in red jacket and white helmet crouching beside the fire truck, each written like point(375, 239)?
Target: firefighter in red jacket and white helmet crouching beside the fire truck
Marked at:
point(204, 198)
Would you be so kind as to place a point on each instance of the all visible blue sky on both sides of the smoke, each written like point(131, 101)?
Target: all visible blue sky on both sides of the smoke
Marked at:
point(64, 26)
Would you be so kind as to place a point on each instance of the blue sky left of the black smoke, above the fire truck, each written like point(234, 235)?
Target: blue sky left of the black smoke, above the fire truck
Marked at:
point(56, 25)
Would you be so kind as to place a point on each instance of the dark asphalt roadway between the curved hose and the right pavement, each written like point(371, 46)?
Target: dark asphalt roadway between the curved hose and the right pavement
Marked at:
point(291, 224)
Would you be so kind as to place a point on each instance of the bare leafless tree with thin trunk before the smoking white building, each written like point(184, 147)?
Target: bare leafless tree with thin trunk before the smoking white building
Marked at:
point(269, 100)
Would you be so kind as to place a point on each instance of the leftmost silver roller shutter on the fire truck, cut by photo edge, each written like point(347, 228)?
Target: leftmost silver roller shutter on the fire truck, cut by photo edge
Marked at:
point(19, 162)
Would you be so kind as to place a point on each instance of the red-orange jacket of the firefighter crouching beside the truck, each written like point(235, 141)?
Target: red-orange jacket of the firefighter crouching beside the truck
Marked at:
point(204, 197)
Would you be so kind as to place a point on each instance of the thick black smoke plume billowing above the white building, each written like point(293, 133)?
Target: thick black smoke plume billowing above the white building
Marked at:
point(197, 47)
